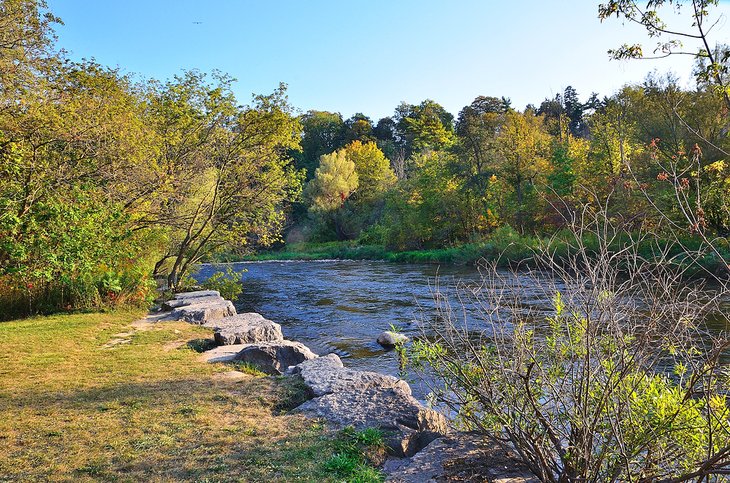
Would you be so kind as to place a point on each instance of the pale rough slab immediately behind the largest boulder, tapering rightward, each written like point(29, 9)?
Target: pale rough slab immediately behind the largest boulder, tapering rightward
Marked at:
point(325, 375)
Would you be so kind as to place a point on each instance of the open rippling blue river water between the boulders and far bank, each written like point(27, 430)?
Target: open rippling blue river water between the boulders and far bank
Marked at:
point(341, 306)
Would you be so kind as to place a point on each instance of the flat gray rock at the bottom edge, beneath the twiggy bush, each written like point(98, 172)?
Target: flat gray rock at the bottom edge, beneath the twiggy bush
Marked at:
point(460, 457)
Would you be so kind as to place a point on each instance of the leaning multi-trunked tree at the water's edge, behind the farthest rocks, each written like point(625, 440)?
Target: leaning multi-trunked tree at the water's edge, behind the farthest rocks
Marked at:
point(229, 174)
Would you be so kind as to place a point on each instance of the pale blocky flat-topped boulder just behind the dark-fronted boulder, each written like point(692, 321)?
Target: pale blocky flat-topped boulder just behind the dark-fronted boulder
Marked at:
point(248, 328)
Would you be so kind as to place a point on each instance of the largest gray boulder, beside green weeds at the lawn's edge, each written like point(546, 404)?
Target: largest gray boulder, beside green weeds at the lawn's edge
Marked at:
point(407, 425)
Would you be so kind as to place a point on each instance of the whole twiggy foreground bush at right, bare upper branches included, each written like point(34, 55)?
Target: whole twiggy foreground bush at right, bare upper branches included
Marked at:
point(621, 381)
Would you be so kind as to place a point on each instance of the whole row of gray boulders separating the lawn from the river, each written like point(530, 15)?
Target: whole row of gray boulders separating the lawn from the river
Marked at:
point(421, 444)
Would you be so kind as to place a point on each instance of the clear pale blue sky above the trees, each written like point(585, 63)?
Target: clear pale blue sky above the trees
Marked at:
point(349, 57)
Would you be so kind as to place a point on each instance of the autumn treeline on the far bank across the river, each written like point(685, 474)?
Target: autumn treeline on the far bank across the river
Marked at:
point(449, 181)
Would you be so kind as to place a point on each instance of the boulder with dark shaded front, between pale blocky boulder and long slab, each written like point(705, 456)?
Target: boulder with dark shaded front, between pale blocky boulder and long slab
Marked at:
point(275, 357)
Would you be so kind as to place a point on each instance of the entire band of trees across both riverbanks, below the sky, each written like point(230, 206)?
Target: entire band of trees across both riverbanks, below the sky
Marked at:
point(112, 184)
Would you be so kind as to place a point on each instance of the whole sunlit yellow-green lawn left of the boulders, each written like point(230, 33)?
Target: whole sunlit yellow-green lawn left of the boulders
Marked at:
point(146, 410)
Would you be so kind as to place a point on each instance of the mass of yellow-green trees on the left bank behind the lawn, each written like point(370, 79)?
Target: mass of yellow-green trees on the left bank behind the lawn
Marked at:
point(107, 183)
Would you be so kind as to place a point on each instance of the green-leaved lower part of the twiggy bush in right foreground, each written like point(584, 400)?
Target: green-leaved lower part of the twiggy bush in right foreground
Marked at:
point(584, 399)
